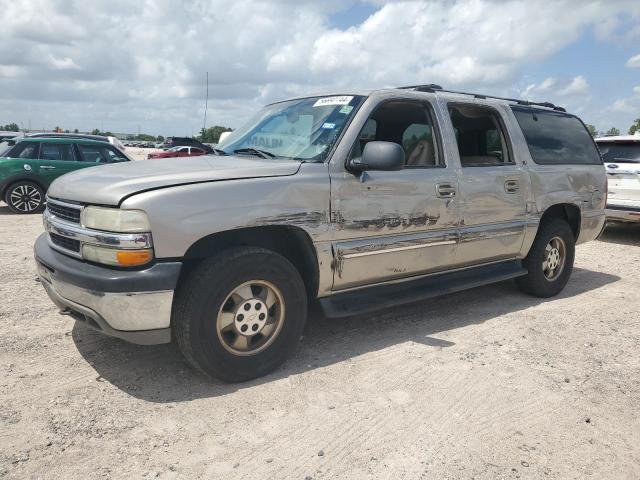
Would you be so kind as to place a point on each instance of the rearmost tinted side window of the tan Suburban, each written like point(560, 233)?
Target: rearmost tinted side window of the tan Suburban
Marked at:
point(556, 137)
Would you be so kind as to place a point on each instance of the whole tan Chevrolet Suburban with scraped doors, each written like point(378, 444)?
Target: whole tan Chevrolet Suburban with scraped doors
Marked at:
point(362, 200)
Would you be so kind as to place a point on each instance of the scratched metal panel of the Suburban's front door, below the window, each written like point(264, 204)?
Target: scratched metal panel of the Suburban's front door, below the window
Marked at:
point(390, 225)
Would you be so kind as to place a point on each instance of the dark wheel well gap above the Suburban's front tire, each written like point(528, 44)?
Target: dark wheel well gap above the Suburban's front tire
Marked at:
point(293, 243)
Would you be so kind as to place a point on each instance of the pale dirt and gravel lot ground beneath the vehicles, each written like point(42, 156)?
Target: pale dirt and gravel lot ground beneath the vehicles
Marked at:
point(485, 384)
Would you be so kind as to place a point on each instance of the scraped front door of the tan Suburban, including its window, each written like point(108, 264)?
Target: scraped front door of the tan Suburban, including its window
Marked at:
point(395, 224)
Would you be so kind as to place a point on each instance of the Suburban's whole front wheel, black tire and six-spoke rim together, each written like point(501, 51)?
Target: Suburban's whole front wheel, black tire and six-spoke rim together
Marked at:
point(240, 314)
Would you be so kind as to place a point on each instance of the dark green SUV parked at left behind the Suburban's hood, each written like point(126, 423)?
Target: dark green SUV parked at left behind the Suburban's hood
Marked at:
point(29, 167)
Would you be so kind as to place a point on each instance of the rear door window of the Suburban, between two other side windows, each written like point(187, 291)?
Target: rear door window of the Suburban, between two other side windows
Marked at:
point(480, 136)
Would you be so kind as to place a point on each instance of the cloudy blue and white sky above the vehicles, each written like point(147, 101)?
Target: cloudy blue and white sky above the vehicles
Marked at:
point(129, 66)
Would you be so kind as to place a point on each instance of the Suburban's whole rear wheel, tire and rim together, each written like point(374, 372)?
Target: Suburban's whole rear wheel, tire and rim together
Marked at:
point(550, 260)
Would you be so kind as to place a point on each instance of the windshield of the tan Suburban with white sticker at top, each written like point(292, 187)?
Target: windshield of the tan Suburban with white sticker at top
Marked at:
point(303, 129)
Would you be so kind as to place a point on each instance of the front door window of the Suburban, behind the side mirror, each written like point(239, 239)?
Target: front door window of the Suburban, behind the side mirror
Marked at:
point(407, 123)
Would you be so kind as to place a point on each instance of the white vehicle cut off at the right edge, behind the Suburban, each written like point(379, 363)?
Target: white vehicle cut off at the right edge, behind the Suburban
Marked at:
point(621, 155)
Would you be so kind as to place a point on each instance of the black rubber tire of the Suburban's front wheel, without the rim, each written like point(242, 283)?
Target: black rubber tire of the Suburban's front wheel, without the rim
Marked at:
point(207, 288)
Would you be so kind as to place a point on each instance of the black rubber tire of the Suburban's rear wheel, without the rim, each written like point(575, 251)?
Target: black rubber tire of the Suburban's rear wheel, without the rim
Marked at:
point(536, 282)
